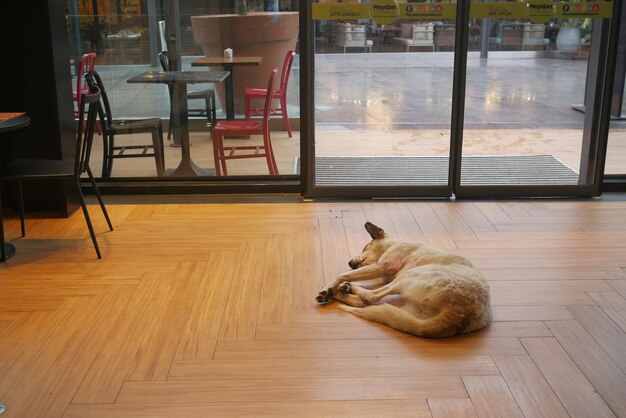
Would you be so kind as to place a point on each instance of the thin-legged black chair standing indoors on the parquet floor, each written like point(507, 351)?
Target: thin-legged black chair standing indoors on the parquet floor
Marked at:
point(20, 170)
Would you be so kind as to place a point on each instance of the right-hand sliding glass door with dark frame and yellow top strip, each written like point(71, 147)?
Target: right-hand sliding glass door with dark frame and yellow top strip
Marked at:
point(534, 74)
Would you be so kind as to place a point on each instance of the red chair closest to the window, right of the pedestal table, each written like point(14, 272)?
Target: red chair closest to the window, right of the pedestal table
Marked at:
point(245, 128)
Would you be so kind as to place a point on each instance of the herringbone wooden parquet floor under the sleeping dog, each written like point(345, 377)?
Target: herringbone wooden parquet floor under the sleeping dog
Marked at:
point(207, 310)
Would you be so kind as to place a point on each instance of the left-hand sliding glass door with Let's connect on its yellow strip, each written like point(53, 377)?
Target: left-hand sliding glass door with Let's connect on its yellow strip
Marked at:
point(382, 85)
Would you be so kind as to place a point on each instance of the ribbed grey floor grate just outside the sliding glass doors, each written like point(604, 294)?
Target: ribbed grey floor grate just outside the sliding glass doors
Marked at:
point(431, 171)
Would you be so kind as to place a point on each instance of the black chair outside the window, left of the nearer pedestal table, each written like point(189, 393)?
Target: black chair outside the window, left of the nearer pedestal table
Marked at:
point(111, 128)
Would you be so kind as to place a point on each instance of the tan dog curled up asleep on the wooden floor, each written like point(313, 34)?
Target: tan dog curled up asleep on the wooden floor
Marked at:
point(441, 293)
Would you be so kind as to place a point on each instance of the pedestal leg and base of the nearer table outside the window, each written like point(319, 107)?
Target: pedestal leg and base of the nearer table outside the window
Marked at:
point(181, 135)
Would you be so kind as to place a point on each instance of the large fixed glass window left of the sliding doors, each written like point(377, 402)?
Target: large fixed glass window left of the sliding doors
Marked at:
point(127, 37)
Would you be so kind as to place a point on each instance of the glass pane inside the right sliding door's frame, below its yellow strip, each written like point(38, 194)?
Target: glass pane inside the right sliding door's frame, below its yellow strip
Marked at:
point(525, 89)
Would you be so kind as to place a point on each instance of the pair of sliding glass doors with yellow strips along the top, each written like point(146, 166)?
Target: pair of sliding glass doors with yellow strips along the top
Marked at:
point(471, 99)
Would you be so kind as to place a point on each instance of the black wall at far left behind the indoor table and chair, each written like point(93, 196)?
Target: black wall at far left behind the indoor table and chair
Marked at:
point(35, 78)
